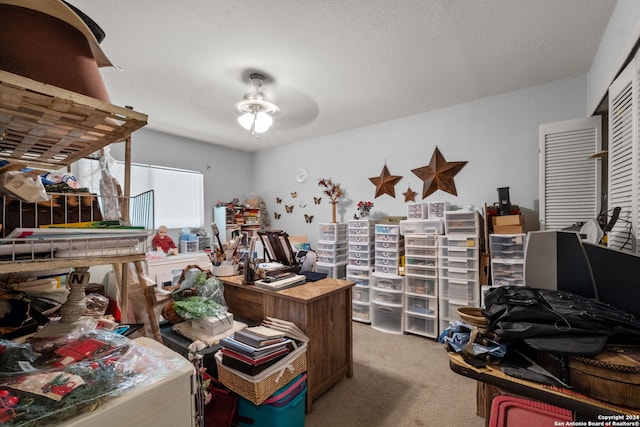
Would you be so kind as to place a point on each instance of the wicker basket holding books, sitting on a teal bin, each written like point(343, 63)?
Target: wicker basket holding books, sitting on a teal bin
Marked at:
point(259, 388)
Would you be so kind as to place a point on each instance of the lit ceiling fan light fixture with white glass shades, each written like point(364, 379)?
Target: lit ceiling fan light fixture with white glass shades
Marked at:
point(255, 108)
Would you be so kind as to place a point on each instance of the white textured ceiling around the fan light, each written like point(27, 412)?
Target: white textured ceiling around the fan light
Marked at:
point(333, 65)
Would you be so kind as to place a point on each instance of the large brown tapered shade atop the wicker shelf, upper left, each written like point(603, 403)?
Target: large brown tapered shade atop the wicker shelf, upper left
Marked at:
point(47, 49)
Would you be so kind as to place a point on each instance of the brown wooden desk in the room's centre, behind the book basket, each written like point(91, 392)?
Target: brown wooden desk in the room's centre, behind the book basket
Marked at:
point(322, 310)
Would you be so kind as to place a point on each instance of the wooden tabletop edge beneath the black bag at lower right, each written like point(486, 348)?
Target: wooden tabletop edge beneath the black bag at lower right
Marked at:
point(565, 398)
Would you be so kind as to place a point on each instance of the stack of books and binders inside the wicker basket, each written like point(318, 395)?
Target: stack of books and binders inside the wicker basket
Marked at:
point(253, 349)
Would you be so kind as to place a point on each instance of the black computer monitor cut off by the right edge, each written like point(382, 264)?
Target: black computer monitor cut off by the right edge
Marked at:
point(616, 276)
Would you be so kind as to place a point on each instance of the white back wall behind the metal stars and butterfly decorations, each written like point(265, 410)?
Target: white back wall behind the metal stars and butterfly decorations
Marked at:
point(497, 136)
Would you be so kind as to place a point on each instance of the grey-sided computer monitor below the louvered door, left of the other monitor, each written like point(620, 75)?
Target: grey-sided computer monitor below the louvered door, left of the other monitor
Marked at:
point(557, 260)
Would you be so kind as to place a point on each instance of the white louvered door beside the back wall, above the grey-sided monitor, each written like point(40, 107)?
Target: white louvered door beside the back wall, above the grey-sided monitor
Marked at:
point(569, 178)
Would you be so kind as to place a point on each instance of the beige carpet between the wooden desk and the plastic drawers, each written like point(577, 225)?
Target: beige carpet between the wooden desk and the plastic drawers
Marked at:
point(398, 381)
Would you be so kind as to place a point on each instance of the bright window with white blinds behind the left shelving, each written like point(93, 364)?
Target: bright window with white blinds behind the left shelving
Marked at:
point(178, 193)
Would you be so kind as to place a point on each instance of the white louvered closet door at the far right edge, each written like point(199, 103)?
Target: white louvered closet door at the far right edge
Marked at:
point(623, 158)
